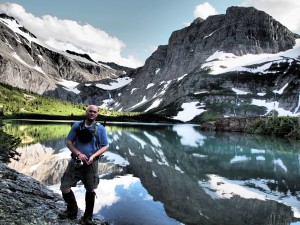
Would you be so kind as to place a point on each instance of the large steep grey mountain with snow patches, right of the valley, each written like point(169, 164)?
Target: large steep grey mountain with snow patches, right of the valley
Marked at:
point(181, 72)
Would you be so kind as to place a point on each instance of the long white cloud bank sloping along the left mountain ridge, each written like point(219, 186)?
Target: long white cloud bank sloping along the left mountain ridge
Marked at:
point(64, 34)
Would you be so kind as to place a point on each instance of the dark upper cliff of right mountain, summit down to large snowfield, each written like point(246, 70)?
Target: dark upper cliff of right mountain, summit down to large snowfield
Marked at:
point(242, 30)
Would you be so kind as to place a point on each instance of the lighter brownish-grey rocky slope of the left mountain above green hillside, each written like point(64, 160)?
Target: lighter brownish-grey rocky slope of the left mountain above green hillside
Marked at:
point(31, 66)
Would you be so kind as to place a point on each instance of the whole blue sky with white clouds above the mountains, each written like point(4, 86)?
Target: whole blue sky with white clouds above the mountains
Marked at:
point(126, 31)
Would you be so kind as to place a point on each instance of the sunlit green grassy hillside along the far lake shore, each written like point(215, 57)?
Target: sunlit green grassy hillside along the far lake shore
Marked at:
point(18, 103)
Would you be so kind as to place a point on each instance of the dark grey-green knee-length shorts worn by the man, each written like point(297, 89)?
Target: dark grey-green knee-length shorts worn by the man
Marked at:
point(88, 174)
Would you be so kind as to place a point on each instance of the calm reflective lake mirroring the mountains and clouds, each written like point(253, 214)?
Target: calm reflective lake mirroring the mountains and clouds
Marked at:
point(157, 174)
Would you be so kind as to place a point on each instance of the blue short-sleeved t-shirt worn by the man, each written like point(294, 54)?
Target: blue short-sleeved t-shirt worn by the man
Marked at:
point(91, 147)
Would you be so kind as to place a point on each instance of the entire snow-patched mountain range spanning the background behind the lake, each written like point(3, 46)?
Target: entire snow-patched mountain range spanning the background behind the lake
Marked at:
point(242, 63)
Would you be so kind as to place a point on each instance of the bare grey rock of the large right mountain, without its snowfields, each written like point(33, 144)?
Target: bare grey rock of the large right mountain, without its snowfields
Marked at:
point(240, 31)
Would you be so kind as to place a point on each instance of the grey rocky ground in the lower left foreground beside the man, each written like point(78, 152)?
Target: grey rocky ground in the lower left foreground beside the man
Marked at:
point(24, 201)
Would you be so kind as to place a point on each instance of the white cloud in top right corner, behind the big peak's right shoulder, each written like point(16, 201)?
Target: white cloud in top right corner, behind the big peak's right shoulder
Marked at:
point(285, 11)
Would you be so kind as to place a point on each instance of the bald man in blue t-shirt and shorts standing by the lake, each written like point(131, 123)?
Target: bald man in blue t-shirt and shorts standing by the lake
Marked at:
point(86, 144)
